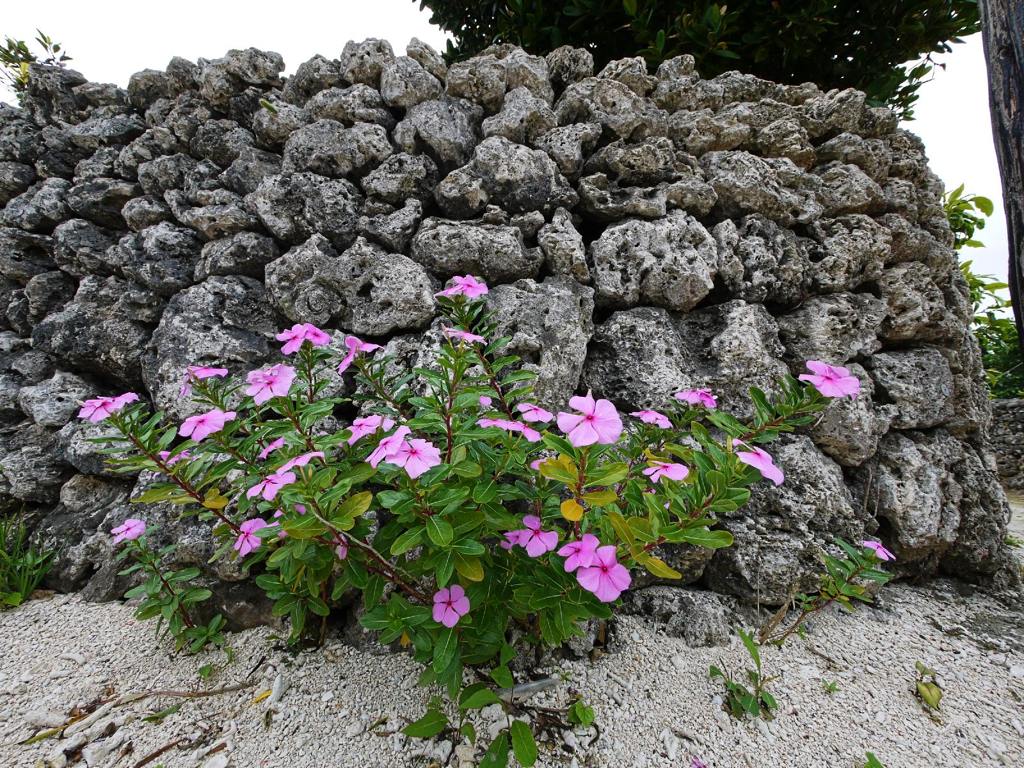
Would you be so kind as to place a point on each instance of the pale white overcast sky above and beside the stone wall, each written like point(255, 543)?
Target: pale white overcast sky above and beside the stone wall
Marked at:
point(110, 40)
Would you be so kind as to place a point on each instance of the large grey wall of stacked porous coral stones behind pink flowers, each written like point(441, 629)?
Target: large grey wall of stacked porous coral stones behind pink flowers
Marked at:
point(643, 232)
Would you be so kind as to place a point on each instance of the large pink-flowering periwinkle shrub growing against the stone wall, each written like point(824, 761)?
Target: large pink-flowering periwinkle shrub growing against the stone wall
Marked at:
point(456, 506)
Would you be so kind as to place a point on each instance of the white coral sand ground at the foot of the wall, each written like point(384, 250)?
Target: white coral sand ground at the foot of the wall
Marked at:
point(655, 703)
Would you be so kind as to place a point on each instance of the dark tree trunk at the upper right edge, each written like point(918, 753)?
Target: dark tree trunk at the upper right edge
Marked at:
point(1003, 31)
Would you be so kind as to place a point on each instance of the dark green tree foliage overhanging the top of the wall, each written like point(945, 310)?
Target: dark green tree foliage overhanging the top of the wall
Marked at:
point(863, 45)
